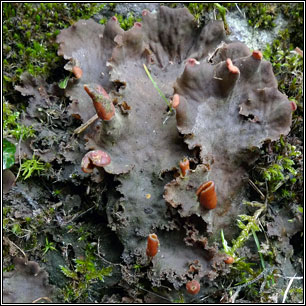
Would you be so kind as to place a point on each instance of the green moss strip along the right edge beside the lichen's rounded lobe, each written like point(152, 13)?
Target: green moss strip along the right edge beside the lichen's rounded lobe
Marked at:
point(280, 163)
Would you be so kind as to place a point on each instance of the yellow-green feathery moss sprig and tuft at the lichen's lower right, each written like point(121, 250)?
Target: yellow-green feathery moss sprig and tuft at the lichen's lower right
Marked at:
point(252, 276)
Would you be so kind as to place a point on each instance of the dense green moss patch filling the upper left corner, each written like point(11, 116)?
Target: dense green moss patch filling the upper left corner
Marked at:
point(29, 31)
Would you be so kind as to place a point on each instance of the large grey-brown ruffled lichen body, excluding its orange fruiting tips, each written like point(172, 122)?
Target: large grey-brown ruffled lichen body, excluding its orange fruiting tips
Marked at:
point(229, 105)
